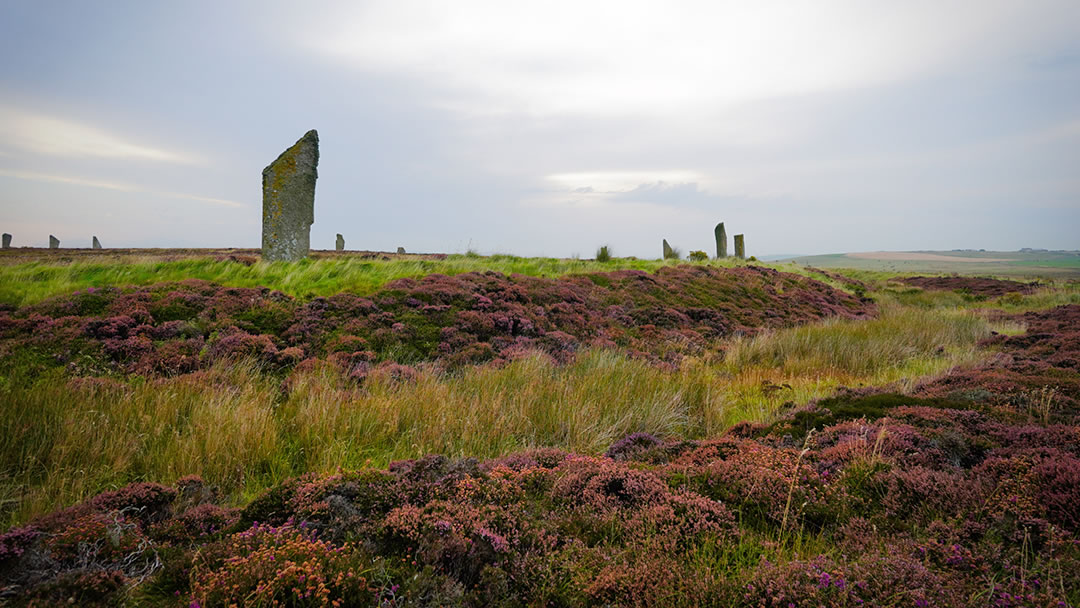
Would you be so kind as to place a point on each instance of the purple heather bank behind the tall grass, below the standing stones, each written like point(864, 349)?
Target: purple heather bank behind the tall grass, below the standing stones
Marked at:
point(180, 328)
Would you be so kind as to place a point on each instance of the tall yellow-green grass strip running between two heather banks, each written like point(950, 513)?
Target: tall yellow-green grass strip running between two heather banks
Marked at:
point(245, 429)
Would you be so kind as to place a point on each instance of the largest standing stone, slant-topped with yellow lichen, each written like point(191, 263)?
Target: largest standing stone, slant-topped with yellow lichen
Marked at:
point(289, 201)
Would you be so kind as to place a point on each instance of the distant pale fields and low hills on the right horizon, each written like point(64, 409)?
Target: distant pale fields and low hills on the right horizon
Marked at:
point(1054, 265)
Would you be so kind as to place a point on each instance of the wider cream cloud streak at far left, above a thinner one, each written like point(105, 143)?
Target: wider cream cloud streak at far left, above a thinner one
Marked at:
point(51, 137)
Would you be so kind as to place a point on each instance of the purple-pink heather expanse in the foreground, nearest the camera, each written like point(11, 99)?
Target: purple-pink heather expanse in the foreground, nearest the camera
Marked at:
point(866, 498)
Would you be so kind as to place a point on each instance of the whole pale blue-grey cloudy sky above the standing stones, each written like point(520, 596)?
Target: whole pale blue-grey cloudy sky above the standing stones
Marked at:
point(548, 129)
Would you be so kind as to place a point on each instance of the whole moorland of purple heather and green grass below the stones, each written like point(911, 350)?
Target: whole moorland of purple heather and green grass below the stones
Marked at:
point(576, 434)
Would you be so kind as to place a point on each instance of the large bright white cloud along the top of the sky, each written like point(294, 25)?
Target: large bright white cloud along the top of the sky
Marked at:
point(637, 58)
